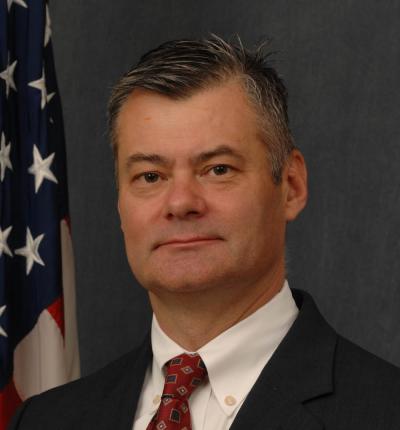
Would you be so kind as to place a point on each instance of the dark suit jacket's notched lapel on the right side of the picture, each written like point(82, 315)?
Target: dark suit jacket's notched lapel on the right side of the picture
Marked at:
point(300, 370)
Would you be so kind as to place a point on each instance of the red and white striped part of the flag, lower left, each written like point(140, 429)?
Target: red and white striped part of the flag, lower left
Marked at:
point(49, 355)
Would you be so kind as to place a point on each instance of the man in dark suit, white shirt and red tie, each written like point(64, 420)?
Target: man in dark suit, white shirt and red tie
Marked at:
point(208, 178)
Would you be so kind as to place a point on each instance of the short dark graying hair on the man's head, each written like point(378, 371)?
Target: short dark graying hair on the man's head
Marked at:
point(179, 68)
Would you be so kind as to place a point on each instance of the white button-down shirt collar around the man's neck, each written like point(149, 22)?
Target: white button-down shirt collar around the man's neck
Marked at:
point(244, 349)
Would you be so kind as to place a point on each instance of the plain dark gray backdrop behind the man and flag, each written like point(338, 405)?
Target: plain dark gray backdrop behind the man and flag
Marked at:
point(340, 61)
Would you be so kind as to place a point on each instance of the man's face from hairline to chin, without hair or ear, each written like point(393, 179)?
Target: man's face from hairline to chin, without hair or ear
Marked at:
point(196, 171)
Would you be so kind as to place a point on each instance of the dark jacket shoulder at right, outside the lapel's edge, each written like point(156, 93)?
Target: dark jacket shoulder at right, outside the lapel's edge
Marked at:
point(365, 387)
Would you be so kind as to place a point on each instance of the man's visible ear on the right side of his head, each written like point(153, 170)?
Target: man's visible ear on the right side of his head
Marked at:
point(294, 178)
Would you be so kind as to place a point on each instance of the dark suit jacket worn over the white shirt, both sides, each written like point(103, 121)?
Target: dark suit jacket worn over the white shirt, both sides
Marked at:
point(315, 380)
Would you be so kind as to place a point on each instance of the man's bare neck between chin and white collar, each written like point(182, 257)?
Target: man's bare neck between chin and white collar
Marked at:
point(194, 319)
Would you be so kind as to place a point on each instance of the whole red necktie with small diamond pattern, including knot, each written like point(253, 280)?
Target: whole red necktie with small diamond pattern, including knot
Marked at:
point(184, 373)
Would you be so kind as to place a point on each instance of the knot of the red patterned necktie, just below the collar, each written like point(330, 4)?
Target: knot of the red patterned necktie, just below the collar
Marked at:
point(185, 373)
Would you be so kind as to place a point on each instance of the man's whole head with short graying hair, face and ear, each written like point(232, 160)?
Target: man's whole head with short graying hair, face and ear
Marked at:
point(198, 161)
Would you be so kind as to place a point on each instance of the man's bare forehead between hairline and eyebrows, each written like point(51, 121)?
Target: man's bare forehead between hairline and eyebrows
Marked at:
point(217, 115)
